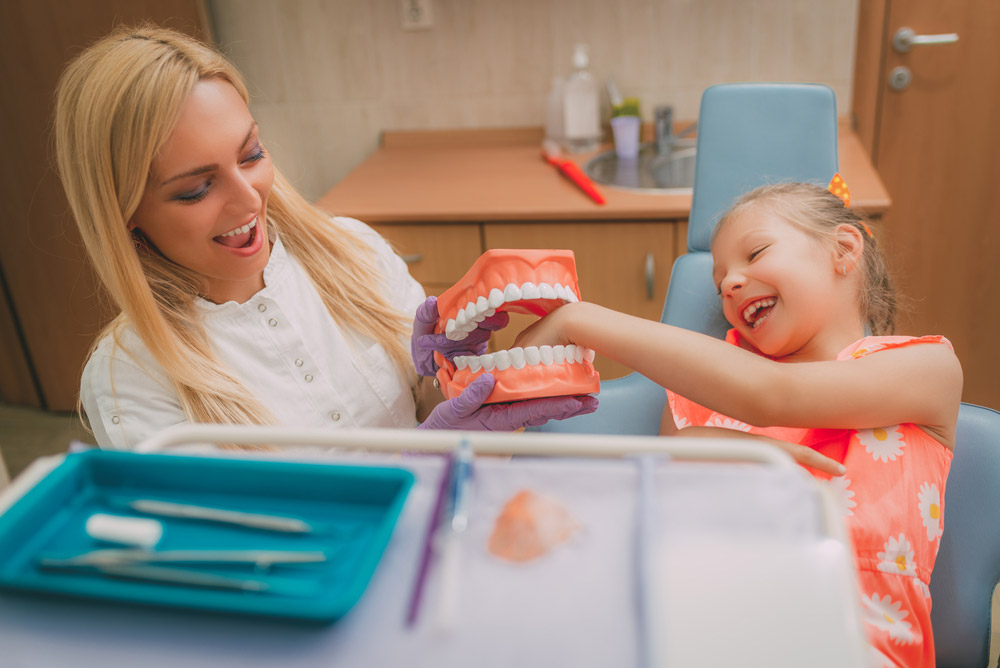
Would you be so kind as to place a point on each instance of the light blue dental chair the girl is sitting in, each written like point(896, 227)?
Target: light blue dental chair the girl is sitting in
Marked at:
point(750, 135)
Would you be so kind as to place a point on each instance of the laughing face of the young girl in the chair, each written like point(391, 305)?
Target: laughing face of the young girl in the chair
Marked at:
point(779, 286)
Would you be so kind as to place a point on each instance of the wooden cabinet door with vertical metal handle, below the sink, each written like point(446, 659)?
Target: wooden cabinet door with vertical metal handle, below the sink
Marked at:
point(623, 266)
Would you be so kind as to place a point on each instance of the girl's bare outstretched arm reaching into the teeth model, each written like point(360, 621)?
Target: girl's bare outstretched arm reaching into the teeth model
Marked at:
point(921, 384)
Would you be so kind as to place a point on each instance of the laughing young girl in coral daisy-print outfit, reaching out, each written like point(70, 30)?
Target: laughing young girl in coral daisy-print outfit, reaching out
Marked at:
point(802, 284)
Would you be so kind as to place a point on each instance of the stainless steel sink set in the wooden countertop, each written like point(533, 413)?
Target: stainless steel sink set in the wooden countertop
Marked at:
point(650, 172)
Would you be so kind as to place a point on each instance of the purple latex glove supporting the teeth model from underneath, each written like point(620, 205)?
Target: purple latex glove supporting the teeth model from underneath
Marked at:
point(466, 411)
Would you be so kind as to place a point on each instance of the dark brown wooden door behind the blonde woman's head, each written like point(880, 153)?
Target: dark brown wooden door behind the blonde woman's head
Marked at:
point(49, 305)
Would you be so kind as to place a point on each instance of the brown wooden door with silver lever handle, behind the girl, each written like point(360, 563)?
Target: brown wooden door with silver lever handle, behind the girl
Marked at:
point(936, 144)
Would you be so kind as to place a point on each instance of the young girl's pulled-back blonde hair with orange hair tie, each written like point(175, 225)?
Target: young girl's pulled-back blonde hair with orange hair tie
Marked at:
point(819, 212)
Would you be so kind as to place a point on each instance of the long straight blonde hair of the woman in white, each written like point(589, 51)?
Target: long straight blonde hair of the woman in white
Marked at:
point(116, 105)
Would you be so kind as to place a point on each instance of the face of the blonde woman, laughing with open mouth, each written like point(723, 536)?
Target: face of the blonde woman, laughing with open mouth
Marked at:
point(205, 204)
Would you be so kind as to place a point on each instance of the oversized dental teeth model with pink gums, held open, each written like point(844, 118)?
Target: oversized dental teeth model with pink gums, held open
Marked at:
point(518, 281)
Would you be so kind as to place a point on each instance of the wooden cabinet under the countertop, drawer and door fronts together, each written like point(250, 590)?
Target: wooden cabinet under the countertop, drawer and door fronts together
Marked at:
point(621, 265)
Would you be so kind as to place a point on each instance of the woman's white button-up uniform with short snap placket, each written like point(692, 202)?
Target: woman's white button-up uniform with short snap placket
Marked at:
point(282, 344)
